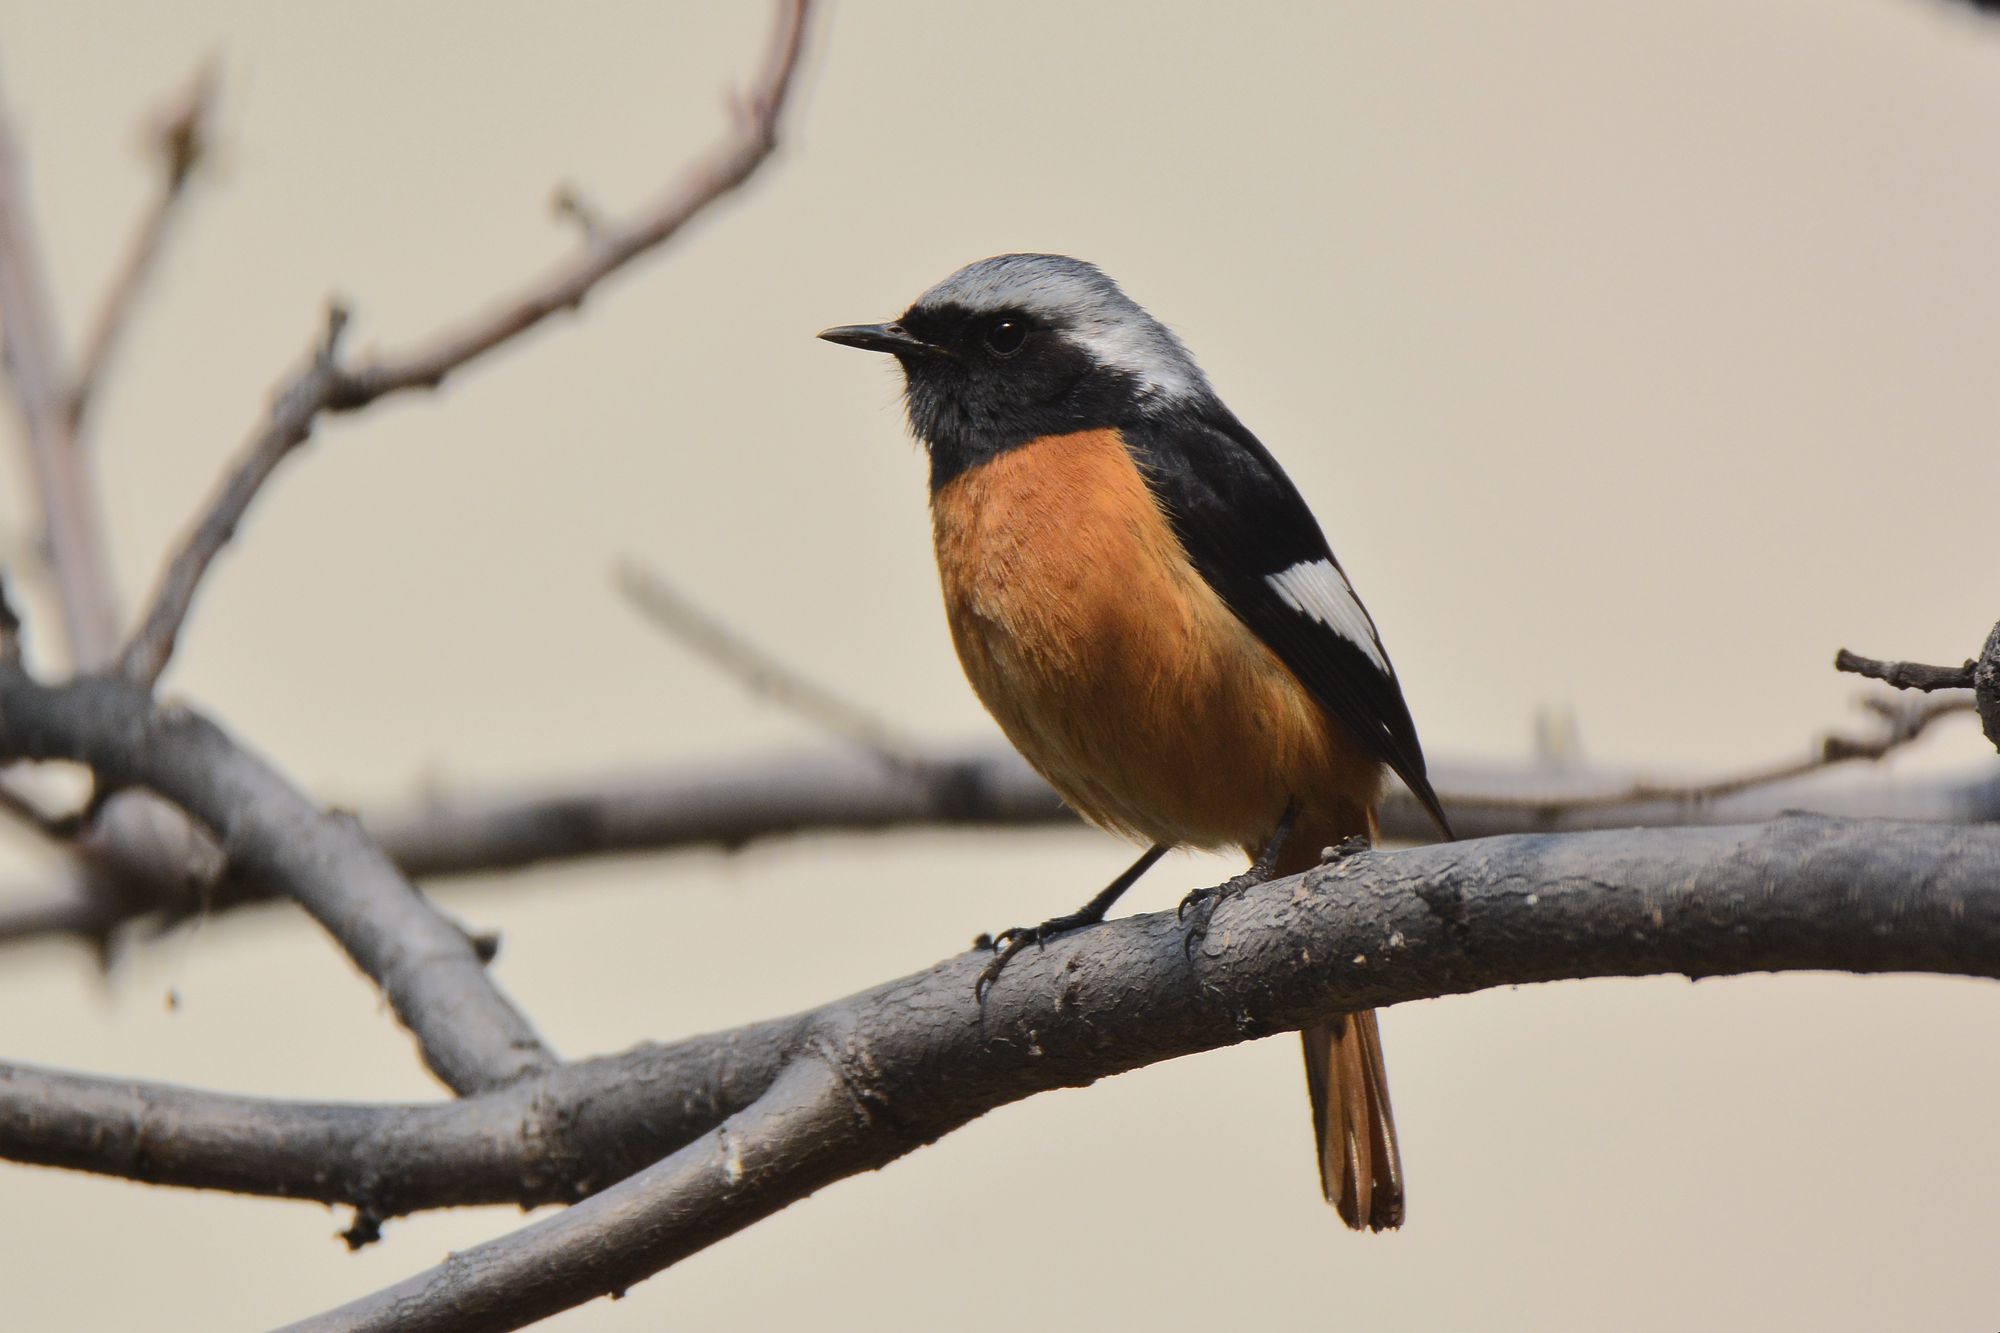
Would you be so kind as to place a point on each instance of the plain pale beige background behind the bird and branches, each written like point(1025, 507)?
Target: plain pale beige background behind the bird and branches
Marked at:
point(1633, 355)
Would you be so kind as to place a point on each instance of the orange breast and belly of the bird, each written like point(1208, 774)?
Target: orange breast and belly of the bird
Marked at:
point(1117, 670)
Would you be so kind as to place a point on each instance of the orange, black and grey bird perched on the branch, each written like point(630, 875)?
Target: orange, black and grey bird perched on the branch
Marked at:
point(1149, 609)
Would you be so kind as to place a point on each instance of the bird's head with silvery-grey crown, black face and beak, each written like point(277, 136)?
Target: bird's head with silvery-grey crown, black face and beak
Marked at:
point(1019, 347)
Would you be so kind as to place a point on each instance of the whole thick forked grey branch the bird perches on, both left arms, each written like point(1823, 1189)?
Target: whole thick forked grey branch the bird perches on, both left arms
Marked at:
point(917, 1058)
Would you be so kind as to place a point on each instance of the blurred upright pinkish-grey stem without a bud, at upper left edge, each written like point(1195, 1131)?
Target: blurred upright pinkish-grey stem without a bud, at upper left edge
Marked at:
point(71, 509)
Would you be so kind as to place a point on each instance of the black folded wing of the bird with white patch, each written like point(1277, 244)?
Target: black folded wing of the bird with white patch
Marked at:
point(1261, 549)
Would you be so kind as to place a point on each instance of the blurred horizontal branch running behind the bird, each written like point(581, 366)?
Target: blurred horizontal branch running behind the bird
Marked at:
point(977, 788)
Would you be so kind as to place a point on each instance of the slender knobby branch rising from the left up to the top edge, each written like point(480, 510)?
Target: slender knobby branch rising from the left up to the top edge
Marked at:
point(329, 387)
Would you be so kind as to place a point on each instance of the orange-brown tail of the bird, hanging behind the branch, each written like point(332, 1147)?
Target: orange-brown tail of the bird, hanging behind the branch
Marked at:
point(1361, 1168)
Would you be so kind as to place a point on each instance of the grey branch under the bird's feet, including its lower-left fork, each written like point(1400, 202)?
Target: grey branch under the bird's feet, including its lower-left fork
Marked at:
point(893, 1070)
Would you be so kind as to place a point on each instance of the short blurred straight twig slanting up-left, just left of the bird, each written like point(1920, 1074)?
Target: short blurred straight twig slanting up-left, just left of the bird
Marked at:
point(759, 672)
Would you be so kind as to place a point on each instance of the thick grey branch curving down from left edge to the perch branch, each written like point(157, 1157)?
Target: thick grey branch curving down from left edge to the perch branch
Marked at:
point(427, 968)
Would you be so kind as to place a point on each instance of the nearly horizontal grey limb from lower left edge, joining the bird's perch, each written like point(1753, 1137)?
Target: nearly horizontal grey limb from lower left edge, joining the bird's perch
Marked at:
point(551, 1138)
